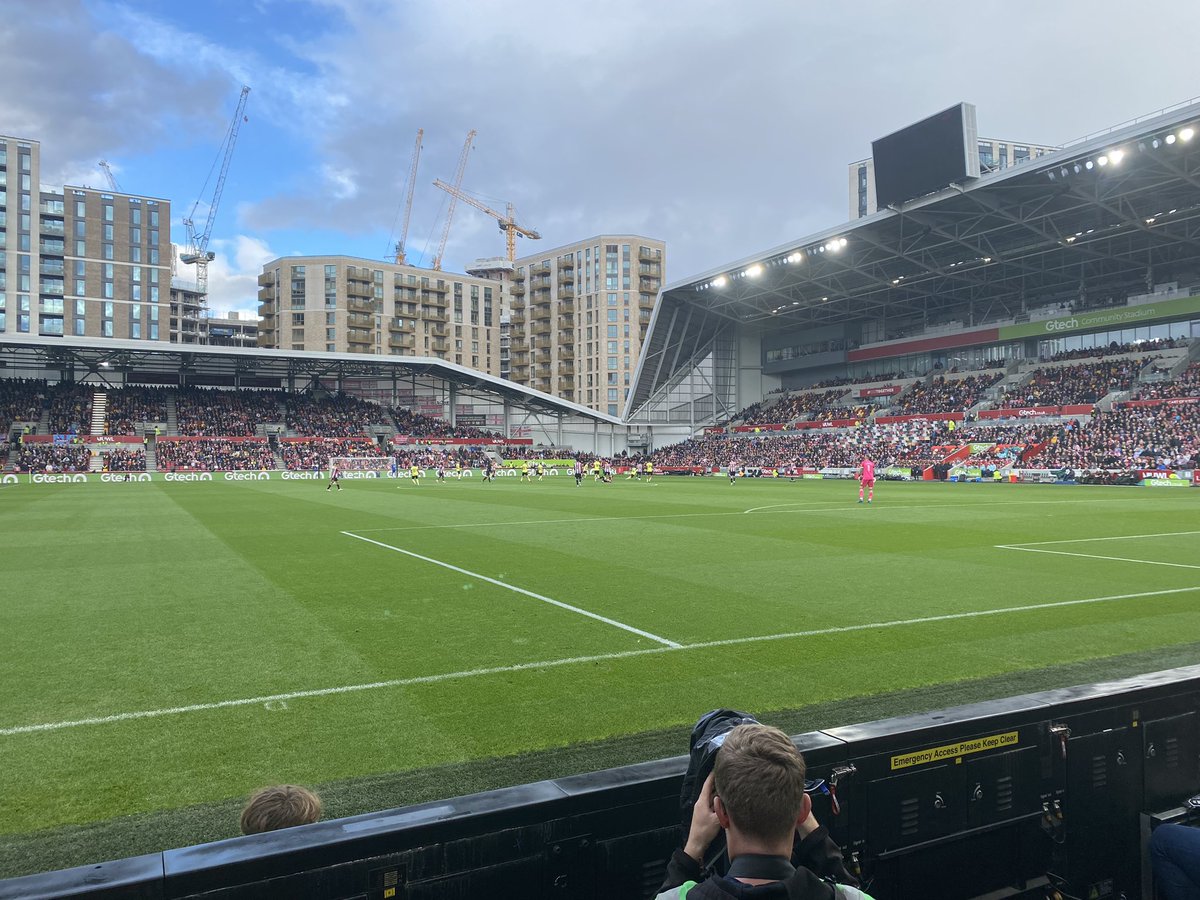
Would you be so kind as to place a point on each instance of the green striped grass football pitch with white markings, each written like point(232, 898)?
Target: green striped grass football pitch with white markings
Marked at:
point(171, 647)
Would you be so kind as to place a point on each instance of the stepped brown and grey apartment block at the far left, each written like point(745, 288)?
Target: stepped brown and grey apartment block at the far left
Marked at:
point(76, 261)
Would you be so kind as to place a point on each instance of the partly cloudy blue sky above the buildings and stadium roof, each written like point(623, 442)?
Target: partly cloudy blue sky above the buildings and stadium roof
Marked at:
point(722, 129)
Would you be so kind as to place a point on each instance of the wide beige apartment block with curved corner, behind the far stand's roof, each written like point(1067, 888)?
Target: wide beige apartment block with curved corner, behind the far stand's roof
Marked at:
point(338, 304)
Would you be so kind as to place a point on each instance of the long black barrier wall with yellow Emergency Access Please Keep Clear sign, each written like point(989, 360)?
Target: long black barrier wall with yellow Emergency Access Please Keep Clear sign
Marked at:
point(1009, 799)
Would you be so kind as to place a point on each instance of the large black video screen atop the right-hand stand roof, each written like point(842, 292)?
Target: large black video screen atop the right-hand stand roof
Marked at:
point(927, 157)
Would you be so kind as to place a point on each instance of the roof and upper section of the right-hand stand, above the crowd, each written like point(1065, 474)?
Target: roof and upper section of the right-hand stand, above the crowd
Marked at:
point(1096, 242)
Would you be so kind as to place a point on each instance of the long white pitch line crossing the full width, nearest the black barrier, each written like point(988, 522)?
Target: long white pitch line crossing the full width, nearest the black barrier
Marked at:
point(560, 663)
